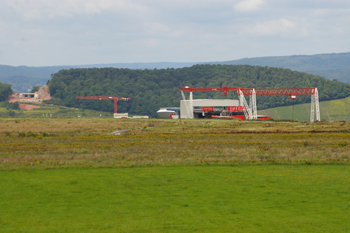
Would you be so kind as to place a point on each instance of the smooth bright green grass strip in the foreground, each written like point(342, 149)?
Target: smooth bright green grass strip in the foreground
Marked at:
point(177, 199)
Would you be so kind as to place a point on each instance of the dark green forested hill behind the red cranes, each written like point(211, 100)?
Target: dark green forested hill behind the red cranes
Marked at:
point(151, 89)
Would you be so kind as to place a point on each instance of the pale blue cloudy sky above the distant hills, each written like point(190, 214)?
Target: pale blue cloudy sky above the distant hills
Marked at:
point(77, 32)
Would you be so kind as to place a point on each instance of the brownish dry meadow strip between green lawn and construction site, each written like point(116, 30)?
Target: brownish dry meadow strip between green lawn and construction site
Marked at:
point(46, 143)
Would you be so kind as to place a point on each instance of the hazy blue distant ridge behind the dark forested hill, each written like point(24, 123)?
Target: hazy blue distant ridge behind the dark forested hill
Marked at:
point(330, 66)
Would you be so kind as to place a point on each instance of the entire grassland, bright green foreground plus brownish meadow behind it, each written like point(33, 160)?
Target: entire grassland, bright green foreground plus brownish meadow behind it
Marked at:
point(71, 175)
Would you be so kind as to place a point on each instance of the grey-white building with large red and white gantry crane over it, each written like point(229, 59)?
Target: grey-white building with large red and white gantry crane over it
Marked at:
point(229, 108)
